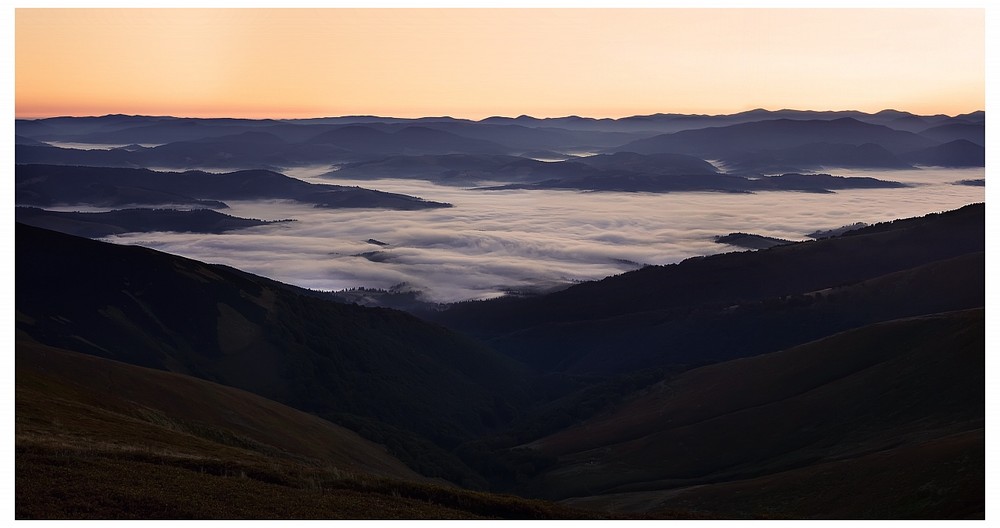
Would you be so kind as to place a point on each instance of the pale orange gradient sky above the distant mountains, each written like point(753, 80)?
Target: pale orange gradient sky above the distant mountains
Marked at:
point(474, 63)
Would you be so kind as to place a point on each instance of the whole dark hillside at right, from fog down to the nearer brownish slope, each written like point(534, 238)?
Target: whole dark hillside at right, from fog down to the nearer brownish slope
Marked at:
point(765, 299)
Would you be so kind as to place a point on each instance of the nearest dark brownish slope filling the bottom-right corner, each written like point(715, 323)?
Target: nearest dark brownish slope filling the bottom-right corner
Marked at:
point(809, 422)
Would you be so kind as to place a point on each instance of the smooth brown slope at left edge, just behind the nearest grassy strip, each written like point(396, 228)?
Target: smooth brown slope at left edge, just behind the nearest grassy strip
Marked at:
point(165, 411)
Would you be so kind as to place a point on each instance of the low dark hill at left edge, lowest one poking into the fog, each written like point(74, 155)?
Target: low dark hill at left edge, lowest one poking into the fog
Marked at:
point(95, 225)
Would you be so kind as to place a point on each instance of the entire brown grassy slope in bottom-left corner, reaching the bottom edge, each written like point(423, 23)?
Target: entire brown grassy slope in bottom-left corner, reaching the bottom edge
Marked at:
point(99, 439)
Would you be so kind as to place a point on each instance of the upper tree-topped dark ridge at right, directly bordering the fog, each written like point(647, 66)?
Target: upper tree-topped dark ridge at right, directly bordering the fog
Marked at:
point(739, 277)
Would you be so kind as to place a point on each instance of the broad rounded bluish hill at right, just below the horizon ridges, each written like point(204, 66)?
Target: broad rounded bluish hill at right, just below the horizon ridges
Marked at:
point(723, 142)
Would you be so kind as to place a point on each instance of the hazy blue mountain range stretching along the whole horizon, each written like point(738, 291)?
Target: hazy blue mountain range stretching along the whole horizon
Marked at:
point(748, 143)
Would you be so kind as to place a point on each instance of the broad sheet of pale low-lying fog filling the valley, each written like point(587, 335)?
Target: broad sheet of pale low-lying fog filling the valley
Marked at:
point(495, 241)
